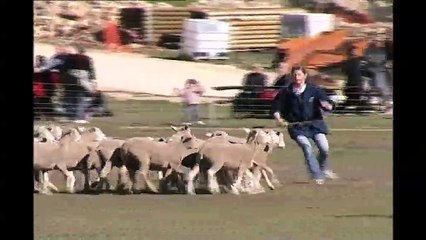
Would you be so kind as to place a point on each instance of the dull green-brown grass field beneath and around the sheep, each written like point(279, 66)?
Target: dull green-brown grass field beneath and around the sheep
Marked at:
point(357, 206)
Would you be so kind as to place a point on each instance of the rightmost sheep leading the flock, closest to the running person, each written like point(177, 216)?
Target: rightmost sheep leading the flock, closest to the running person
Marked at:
point(222, 153)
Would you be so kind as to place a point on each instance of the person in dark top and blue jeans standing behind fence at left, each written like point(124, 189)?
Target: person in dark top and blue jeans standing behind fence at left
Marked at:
point(82, 74)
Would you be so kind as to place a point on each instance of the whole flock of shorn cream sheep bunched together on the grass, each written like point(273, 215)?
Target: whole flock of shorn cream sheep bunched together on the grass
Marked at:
point(225, 162)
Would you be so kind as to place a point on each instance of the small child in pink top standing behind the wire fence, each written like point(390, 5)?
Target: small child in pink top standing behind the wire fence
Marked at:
point(191, 99)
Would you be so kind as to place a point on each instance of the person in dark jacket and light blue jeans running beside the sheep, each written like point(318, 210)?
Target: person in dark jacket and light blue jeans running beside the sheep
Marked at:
point(303, 105)
